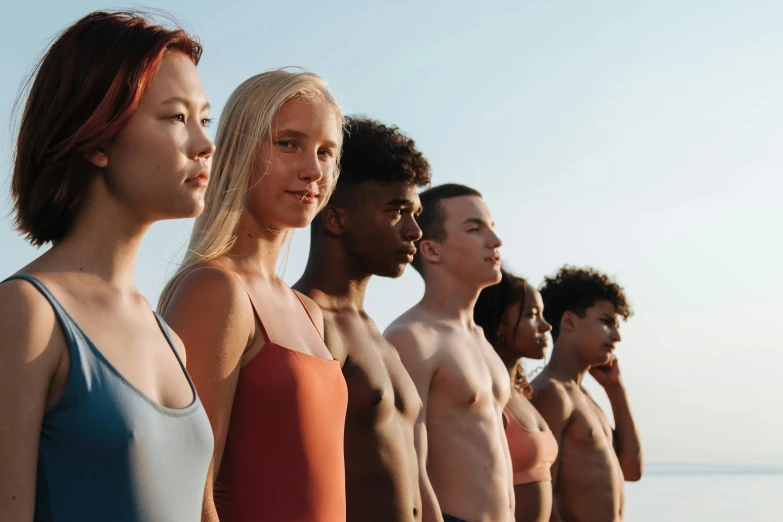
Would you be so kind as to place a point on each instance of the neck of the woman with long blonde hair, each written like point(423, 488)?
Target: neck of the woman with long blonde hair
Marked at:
point(257, 247)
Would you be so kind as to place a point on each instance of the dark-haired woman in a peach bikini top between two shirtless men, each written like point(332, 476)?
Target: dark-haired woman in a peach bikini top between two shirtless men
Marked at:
point(512, 316)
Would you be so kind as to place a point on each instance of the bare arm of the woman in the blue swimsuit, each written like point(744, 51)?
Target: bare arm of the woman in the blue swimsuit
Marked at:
point(31, 348)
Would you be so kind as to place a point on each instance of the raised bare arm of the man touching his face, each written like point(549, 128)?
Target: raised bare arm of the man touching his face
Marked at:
point(627, 445)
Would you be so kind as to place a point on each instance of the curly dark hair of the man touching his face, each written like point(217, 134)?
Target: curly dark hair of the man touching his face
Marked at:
point(575, 290)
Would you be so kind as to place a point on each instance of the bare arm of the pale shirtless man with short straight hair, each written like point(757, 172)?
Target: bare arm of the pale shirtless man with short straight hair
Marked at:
point(421, 370)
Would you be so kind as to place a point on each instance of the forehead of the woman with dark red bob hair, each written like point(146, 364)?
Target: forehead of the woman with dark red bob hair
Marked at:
point(176, 77)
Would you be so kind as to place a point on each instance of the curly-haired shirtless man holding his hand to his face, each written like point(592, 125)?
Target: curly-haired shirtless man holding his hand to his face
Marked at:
point(583, 306)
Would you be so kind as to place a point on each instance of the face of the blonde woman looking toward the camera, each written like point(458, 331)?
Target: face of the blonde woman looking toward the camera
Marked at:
point(296, 166)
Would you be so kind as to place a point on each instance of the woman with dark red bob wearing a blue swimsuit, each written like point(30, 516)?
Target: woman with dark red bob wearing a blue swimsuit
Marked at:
point(100, 420)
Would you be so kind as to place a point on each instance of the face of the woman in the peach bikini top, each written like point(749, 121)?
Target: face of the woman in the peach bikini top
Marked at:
point(524, 327)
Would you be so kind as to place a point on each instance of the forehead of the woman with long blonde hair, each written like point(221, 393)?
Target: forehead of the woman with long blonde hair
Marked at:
point(315, 118)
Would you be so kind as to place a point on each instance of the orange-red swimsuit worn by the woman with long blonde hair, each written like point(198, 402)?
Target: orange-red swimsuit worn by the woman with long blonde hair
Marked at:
point(283, 458)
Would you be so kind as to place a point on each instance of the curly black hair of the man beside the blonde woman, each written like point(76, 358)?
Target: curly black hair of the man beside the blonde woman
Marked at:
point(373, 151)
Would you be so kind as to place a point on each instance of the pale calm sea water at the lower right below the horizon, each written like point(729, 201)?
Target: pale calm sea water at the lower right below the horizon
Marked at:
point(706, 493)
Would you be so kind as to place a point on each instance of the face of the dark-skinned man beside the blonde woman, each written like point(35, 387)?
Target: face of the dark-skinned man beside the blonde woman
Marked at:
point(380, 227)
